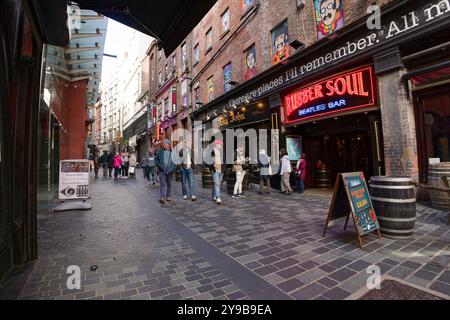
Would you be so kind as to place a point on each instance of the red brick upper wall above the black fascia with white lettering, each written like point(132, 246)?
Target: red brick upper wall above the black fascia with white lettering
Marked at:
point(256, 30)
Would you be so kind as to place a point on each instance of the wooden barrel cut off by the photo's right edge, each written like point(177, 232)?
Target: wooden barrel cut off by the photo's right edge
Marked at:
point(439, 199)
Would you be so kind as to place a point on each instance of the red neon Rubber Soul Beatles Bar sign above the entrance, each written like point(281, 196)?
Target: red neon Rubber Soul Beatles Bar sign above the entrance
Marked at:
point(343, 92)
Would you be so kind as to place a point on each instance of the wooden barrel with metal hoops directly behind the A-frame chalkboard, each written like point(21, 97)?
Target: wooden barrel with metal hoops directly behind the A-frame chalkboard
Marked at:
point(394, 201)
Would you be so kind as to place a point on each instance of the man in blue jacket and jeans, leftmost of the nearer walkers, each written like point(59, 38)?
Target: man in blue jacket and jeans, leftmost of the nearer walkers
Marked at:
point(166, 170)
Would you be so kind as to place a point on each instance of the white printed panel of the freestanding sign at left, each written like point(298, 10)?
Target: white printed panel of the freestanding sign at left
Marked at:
point(74, 179)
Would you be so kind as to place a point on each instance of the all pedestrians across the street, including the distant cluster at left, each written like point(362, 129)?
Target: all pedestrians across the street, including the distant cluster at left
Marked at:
point(159, 167)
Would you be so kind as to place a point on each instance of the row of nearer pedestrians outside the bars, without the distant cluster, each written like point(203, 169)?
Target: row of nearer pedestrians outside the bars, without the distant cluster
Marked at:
point(161, 164)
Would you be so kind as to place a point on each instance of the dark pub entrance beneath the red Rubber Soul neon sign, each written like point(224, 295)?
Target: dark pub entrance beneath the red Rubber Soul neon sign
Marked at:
point(342, 144)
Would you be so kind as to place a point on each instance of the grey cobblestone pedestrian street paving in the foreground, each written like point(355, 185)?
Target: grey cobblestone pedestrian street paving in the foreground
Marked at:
point(258, 247)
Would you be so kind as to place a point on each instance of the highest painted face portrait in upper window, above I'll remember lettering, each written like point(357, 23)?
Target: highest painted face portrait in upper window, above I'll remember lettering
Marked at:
point(329, 17)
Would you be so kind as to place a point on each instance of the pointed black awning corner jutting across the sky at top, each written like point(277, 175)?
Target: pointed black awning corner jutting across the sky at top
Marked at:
point(169, 21)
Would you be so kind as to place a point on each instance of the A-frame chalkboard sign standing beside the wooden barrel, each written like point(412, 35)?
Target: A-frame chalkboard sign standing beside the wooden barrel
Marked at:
point(351, 197)
